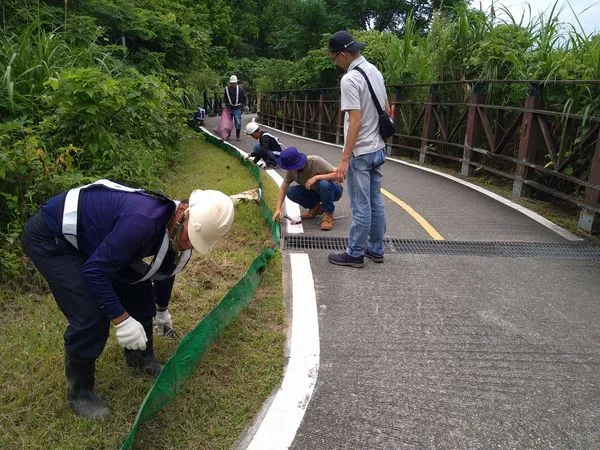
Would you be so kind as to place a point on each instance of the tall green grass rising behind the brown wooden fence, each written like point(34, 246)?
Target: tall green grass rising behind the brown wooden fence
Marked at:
point(466, 44)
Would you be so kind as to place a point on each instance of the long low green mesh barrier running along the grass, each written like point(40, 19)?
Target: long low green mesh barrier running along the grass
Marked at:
point(182, 364)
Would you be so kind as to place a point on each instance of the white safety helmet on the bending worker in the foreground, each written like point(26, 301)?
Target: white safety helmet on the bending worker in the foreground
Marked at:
point(210, 217)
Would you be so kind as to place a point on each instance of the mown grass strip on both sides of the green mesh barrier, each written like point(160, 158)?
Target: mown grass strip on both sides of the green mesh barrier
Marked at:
point(232, 381)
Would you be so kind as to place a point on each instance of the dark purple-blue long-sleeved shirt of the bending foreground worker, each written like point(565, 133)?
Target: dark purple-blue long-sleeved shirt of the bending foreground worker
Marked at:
point(114, 229)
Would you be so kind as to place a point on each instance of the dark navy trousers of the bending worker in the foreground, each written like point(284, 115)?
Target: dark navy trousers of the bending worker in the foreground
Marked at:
point(60, 263)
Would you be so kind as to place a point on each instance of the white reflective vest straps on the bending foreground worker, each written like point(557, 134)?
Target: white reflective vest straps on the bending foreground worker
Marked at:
point(147, 271)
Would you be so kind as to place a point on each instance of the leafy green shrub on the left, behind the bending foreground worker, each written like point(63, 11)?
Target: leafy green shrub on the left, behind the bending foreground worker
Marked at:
point(125, 128)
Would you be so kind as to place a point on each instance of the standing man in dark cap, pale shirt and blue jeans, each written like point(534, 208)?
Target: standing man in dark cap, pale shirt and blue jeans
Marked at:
point(364, 151)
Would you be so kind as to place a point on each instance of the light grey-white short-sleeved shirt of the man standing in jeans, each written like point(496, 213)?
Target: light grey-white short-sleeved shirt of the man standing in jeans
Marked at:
point(355, 95)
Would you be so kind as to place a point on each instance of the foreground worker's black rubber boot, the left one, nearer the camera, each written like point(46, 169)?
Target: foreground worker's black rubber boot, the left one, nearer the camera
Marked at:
point(80, 389)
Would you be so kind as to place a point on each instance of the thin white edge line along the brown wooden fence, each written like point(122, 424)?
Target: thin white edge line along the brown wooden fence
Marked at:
point(532, 215)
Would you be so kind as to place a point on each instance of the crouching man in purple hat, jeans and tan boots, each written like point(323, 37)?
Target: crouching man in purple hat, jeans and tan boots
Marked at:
point(317, 189)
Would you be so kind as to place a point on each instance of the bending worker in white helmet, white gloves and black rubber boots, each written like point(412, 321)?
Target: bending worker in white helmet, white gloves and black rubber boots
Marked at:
point(89, 242)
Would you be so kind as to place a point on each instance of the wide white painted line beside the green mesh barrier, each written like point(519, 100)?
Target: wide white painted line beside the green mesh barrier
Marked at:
point(282, 419)
